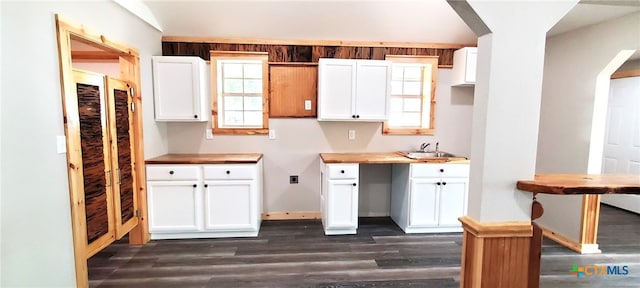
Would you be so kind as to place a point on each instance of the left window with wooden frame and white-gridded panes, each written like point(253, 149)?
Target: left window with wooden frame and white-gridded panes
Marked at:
point(240, 92)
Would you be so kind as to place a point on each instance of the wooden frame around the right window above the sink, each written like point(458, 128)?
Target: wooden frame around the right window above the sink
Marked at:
point(426, 98)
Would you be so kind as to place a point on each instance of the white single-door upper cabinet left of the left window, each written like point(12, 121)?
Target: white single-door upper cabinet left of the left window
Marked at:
point(180, 89)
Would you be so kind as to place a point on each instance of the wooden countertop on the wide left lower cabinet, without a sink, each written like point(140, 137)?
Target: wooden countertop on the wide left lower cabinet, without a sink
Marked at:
point(223, 158)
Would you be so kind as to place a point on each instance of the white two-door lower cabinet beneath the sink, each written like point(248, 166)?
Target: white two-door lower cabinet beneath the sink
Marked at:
point(429, 197)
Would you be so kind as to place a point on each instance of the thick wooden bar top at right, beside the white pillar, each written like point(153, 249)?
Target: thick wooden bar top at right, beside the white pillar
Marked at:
point(569, 184)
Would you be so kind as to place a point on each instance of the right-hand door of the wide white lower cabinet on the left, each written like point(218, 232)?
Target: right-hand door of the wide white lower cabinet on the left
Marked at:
point(231, 206)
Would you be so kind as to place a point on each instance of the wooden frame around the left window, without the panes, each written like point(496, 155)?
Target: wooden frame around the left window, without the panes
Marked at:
point(216, 56)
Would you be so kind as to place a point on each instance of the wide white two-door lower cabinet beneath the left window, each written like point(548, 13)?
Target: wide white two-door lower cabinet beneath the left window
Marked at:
point(202, 201)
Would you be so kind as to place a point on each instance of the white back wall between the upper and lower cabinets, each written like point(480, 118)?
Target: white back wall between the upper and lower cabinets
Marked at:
point(295, 151)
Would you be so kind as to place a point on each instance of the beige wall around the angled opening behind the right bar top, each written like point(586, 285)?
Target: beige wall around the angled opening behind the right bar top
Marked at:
point(572, 63)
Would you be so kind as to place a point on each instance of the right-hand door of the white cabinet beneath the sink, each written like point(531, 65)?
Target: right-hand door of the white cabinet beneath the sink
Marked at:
point(453, 201)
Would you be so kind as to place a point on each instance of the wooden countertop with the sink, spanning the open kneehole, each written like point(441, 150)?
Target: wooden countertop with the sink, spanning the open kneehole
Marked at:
point(382, 158)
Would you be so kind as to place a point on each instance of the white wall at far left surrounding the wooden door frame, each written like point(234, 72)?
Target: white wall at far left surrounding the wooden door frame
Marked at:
point(36, 239)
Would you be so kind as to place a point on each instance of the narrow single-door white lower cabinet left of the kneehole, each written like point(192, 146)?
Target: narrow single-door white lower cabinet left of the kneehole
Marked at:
point(339, 198)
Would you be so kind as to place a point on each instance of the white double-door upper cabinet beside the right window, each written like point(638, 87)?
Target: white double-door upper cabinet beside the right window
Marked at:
point(353, 90)
